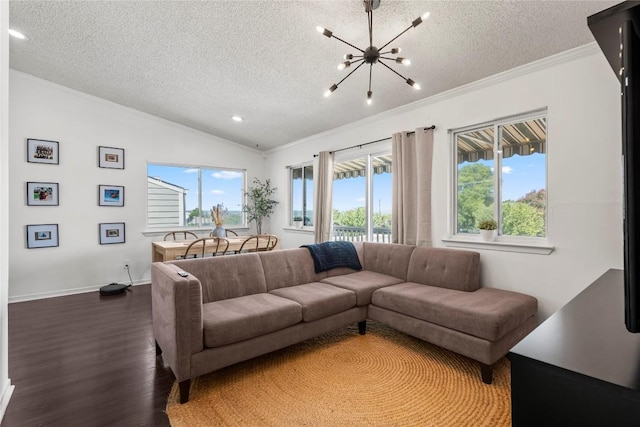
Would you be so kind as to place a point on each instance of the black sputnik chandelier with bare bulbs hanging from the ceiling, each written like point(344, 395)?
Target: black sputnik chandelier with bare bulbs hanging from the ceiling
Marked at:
point(372, 55)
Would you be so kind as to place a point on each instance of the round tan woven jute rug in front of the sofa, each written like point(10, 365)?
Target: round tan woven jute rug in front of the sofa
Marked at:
point(384, 378)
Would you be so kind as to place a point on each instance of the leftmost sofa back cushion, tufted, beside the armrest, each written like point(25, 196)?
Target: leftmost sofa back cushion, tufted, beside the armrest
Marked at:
point(224, 277)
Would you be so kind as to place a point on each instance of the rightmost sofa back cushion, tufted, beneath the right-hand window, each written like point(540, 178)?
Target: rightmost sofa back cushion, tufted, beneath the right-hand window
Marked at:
point(445, 268)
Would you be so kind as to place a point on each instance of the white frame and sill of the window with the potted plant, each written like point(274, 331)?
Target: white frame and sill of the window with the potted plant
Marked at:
point(527, 244)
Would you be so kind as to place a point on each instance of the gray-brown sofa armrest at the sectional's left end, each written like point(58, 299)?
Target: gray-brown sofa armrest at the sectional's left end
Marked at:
point(177, 316)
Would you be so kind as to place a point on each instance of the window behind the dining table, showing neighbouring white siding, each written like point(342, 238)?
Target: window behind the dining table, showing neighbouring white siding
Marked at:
point(182, 196)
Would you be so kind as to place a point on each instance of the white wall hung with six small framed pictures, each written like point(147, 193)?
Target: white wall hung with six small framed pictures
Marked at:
point(81, 123)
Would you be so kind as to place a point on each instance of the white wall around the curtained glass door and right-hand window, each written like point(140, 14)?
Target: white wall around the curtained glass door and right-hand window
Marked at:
point(584, 169)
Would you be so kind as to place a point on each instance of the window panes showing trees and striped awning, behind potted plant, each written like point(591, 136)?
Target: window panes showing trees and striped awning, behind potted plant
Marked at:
point(500, 173)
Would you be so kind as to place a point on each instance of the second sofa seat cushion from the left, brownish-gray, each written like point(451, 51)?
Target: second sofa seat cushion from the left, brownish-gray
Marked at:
point(318, 300)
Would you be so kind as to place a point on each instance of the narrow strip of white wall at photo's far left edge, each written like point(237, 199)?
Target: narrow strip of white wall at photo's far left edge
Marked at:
point(6, 389)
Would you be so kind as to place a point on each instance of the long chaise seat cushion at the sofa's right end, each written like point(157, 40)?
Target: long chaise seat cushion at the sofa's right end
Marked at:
point(486, 313)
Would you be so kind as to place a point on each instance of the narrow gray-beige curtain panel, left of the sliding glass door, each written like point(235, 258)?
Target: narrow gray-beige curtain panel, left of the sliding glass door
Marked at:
point(323, 226)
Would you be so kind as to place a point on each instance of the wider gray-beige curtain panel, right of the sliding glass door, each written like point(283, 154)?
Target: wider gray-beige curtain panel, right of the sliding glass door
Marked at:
point(411, 210)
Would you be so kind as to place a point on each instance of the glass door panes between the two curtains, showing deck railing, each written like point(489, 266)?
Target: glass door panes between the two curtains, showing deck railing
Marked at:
point(362, 199)
